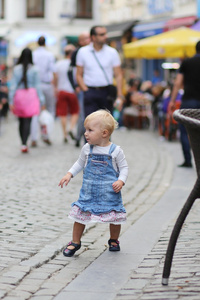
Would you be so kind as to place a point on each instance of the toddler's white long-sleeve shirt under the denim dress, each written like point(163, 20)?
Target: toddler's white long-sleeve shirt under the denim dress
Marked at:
point(118, 160)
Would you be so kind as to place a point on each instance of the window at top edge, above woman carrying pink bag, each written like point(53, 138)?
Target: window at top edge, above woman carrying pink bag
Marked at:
point(35, 8)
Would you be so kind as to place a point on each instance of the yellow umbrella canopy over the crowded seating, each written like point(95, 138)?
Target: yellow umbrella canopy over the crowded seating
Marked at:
point(174, 43)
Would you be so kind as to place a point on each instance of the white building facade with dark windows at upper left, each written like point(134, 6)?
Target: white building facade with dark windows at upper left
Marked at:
point(60, 21)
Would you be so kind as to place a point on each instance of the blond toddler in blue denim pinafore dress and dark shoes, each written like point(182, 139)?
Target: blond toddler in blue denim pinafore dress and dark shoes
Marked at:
point(105, 173)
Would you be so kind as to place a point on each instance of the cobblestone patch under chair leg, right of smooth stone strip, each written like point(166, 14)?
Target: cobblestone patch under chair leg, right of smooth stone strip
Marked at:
point(184, 281)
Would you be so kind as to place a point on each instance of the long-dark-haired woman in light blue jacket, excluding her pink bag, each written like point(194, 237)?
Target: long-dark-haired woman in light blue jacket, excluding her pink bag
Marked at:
point(25, 76)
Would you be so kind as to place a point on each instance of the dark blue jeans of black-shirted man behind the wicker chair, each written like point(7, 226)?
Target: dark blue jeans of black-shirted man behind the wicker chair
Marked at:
point(195, 104)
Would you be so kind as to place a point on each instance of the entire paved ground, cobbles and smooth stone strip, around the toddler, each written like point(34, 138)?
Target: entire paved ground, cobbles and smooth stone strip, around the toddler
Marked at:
point(34, 226)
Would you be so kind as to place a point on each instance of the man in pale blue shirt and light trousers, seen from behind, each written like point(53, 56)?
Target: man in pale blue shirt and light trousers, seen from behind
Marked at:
point(46, 64)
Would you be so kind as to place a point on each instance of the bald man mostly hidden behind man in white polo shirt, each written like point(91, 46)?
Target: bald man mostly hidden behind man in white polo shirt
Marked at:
point(83, 40)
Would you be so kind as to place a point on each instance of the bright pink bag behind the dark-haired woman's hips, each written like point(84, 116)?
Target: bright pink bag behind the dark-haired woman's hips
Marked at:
point(26, 103)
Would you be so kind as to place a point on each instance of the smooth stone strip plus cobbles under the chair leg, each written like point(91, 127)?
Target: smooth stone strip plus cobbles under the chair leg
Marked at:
point(136, 272)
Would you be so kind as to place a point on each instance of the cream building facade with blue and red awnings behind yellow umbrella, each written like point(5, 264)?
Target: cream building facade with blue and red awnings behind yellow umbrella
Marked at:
point(151, 17)
